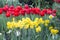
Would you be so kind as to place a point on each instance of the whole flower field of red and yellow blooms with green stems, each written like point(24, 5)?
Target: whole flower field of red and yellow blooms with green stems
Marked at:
point(24, 22)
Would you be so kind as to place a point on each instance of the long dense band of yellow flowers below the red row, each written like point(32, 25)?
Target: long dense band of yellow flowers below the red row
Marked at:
point(27, 23)
